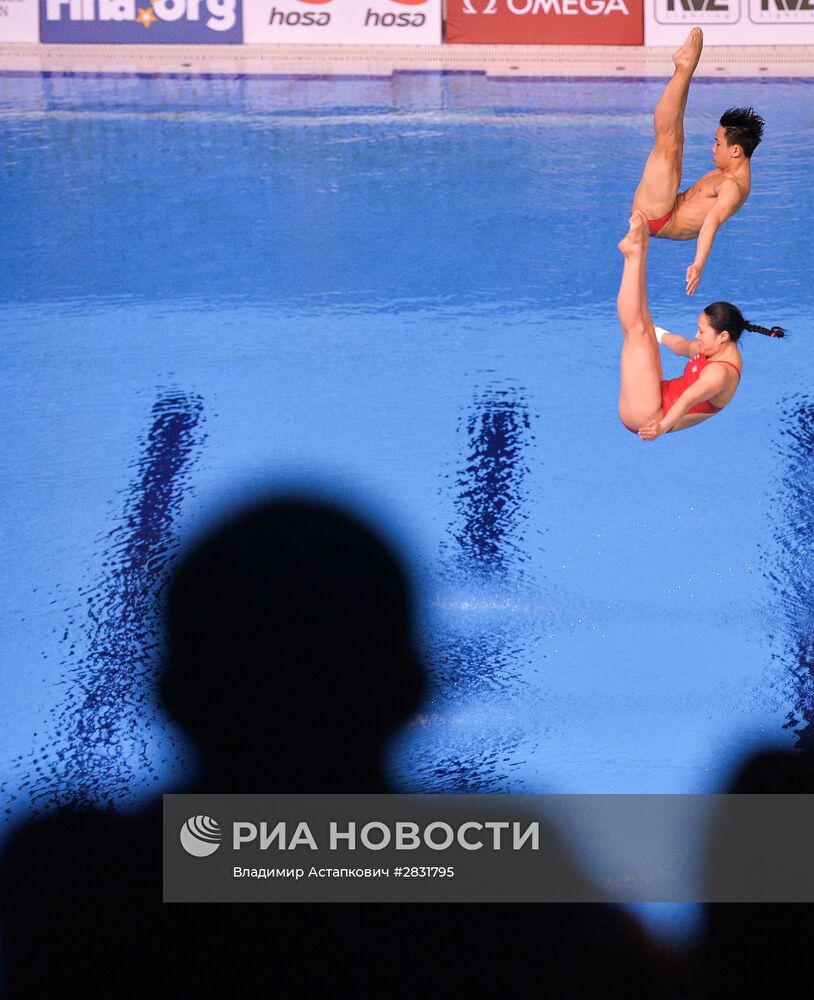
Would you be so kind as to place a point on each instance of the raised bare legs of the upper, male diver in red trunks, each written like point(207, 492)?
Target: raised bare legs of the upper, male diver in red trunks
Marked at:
point(661, 177)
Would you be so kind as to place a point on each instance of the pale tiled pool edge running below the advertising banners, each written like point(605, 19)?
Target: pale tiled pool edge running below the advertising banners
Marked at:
point(498, 61)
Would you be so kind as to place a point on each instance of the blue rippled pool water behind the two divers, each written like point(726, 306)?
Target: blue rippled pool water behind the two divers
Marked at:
point(401, 292)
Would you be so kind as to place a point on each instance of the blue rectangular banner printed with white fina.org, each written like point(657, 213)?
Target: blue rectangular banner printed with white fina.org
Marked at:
point(141, 21)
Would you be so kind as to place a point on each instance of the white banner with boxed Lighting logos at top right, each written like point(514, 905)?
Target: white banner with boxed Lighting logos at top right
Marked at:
point(731, 22)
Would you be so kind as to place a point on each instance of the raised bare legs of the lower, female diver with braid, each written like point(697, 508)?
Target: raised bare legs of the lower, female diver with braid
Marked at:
point(640, 387)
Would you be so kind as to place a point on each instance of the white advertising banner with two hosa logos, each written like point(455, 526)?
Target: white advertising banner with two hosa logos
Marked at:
point(338, 22)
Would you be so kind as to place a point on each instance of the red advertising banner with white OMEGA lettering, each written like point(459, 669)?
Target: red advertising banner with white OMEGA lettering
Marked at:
point(545, 22)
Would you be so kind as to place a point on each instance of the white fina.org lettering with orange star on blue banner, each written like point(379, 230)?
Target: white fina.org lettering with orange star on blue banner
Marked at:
point(218, 15)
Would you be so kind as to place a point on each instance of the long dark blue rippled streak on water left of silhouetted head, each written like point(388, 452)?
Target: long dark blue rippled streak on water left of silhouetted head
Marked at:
point(100, 730)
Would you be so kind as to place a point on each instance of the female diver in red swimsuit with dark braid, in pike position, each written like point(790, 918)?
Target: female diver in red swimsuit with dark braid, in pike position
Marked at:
point(649, 405)
